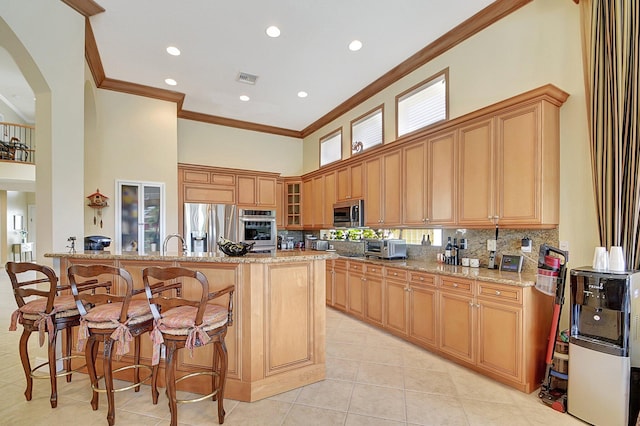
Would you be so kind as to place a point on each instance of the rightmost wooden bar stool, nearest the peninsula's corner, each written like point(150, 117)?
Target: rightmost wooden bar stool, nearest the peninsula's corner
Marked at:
point(181, 323)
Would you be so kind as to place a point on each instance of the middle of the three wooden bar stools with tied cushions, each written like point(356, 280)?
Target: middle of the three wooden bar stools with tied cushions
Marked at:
point(115, 320)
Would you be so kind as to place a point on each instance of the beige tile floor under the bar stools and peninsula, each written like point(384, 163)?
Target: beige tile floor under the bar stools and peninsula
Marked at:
point(372, 379)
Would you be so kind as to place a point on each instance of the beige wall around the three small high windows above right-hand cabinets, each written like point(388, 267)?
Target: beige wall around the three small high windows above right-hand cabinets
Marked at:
point(536, 45)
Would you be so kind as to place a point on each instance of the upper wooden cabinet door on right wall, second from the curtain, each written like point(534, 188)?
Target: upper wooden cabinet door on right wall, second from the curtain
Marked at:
point(476, 205)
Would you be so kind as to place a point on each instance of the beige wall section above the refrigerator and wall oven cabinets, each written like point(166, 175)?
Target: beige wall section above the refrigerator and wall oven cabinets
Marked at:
point(211, 145)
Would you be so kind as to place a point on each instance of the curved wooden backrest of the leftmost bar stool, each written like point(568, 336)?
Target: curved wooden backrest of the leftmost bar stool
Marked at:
point(26, 277)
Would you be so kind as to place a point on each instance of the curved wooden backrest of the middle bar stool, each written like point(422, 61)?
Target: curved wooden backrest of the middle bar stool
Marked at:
point(93, 284)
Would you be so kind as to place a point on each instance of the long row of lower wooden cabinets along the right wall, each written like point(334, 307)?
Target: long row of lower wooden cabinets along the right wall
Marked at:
point(499, 330)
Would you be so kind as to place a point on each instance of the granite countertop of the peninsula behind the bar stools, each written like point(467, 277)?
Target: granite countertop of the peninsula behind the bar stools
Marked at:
point(277, 257)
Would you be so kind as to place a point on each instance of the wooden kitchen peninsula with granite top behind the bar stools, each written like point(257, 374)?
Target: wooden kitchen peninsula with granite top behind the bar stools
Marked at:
point(277, 340)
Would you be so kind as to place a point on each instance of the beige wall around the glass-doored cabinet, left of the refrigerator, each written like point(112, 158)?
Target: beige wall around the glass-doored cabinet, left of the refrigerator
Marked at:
point(130, 138)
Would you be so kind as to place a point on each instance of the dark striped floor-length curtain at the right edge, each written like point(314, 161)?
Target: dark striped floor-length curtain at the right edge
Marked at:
point(610, 35)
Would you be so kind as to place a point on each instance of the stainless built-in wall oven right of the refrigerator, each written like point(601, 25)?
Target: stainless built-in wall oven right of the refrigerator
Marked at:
point(259, 227)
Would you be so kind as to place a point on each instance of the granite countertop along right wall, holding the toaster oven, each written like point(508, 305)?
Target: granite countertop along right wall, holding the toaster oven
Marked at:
point(484, 274)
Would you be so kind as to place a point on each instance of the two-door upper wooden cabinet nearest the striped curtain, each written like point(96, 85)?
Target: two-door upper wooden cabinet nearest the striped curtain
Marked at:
point(509, 168)
